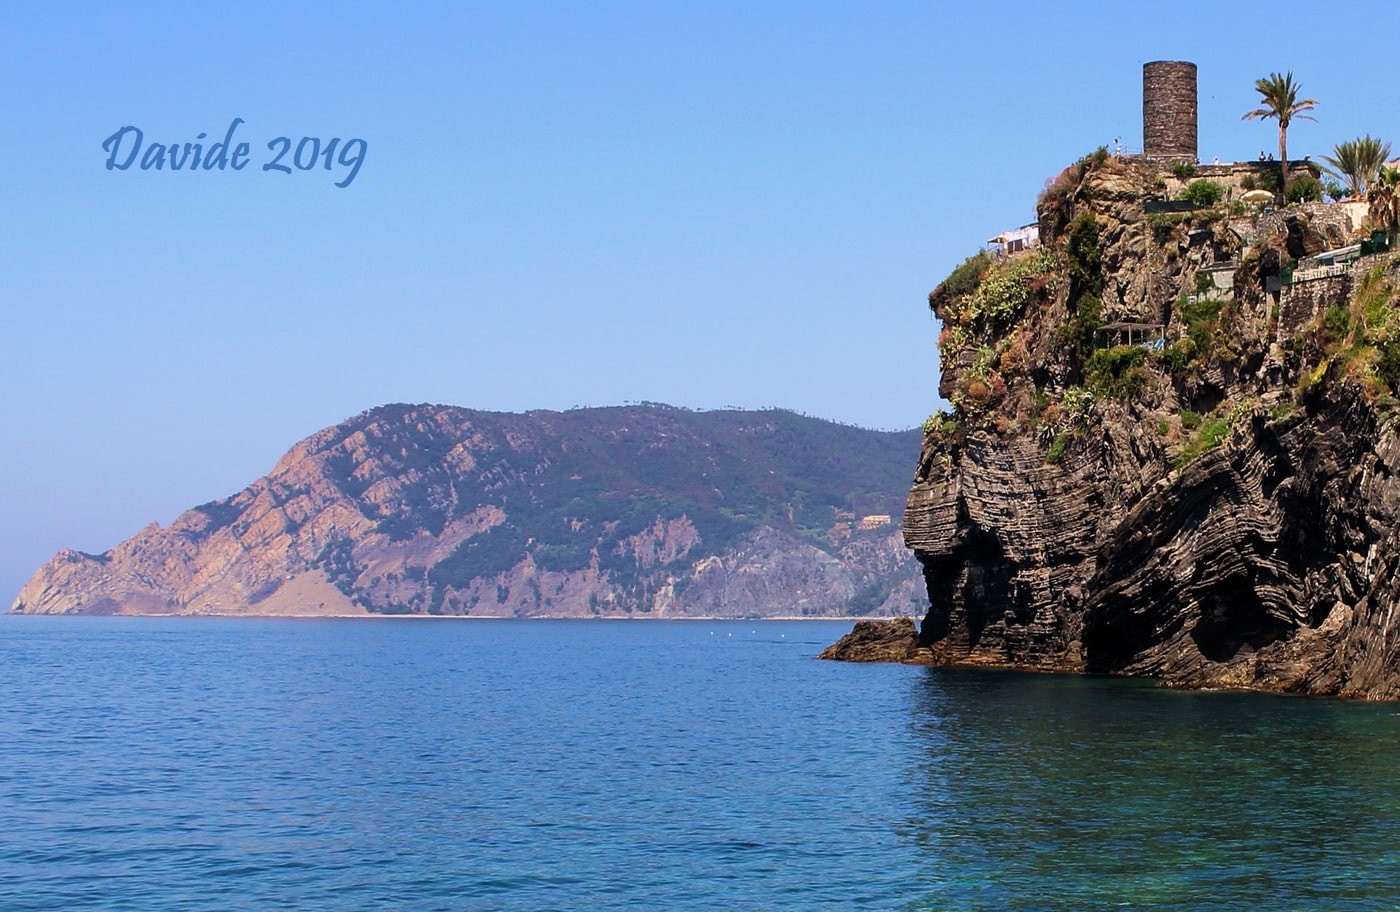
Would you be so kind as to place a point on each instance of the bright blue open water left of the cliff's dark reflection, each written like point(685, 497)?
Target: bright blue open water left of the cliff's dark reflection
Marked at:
point(505, 767)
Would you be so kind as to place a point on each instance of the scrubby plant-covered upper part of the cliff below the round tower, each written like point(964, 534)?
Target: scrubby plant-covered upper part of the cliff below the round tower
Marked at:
point(1028, 343)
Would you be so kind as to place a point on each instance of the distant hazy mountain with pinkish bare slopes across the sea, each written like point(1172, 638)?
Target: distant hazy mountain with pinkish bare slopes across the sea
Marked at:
point(640, 511)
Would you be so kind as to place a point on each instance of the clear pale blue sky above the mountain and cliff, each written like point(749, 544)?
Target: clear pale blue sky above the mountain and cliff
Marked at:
point(561, 204)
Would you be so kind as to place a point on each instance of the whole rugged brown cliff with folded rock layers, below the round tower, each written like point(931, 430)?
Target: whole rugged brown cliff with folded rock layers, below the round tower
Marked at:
point(1219, 508)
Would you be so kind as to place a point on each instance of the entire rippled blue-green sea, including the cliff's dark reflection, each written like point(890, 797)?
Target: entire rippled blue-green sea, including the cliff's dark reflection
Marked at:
point(432, 764)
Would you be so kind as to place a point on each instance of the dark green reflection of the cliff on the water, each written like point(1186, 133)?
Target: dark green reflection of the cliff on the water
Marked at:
point(1076, 794)
